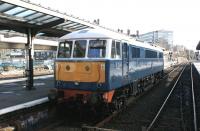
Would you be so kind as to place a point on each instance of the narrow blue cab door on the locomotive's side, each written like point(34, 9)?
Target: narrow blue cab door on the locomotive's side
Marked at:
point(125, 61)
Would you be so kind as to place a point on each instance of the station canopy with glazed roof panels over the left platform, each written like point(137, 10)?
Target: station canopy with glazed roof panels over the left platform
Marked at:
point(18, 15)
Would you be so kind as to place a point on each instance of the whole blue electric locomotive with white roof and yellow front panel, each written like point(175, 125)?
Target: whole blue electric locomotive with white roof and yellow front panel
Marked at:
point(95, 66)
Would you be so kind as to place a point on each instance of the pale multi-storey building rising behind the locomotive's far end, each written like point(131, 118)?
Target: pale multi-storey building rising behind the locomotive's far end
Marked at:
point(162, 38)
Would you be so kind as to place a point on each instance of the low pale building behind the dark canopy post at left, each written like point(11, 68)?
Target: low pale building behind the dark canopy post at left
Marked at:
point(17, 50)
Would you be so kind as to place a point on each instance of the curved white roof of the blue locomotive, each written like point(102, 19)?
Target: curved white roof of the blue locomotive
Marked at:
point(106, 34)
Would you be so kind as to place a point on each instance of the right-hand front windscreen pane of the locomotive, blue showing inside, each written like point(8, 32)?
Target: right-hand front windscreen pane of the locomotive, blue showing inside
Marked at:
point(97, 49)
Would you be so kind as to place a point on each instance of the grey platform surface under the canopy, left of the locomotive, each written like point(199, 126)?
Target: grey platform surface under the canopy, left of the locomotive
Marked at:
point(13, 91)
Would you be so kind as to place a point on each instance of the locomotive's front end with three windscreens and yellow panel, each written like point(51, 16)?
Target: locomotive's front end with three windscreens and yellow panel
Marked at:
point(80, 70)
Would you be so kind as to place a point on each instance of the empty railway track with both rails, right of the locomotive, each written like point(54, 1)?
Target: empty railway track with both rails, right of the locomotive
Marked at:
point(178, 111)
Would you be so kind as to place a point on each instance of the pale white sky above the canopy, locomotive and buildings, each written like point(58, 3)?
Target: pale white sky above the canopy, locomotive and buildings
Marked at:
point(180, 16)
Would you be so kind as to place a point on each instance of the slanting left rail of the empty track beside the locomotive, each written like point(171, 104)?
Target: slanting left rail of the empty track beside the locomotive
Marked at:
point(157, 115)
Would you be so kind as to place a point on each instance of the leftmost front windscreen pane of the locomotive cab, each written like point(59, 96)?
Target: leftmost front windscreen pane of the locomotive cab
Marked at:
point(65, 49)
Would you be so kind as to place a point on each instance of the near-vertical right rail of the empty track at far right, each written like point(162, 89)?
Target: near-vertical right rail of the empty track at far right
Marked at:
point(194, 104)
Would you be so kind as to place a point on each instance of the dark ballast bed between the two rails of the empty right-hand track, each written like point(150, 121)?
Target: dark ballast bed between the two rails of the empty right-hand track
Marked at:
point(177, 114)
